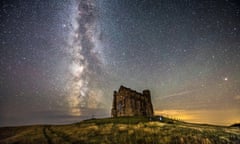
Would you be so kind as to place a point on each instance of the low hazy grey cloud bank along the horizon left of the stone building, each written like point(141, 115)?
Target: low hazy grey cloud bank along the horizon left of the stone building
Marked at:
point(33, 117)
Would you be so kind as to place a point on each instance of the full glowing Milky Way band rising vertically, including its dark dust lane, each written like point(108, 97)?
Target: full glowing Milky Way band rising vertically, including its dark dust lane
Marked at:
point(86, 61)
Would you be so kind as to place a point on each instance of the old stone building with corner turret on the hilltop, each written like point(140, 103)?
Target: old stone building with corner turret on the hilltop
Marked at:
point(127, 102)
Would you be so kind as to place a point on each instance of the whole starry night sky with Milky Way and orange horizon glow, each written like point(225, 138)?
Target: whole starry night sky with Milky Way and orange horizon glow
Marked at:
point(60, 61)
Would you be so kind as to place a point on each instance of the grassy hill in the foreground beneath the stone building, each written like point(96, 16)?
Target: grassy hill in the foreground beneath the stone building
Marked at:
point(124, 130)
